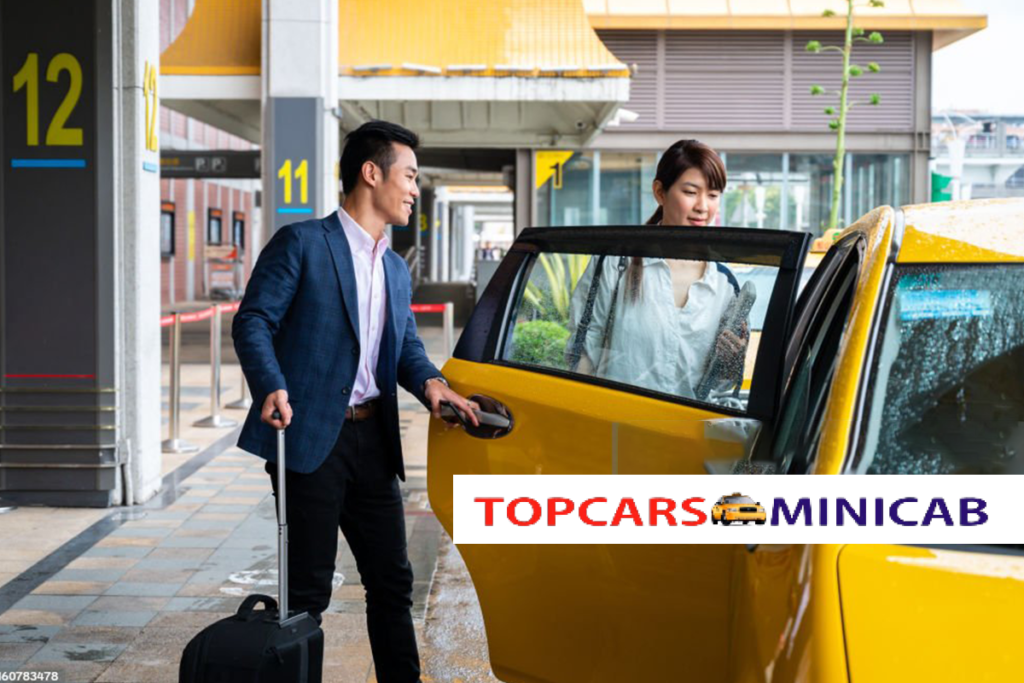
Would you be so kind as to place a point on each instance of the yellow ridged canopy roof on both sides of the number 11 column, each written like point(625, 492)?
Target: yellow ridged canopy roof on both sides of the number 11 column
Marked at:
point(525, 38)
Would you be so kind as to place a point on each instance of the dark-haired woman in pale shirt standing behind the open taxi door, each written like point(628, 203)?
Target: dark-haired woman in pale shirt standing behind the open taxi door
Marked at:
point(656, 323)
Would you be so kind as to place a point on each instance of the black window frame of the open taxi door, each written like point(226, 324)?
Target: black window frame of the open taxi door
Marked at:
point(494, 317)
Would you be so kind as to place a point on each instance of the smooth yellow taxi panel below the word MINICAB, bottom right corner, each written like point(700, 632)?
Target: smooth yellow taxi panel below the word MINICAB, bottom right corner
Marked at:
point(958, 608)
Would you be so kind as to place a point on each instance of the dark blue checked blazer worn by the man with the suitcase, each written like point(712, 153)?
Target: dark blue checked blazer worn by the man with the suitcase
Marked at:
point(297, 329)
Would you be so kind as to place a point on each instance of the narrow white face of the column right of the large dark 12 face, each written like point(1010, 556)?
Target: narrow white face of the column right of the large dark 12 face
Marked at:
point(138, 209)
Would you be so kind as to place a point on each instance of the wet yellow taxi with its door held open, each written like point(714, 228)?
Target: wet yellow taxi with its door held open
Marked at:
point(903, 354)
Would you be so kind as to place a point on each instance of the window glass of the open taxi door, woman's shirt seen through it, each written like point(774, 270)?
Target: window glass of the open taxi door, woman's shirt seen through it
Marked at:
point(689, 329)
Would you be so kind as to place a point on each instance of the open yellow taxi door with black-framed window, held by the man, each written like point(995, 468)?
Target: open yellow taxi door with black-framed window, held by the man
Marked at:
point(653, 396)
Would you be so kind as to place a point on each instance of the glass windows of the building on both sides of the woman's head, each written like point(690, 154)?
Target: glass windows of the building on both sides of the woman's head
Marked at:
point(773, 191)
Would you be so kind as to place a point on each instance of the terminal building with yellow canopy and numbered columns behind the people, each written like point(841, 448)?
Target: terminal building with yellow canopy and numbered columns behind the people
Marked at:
point(530, 112)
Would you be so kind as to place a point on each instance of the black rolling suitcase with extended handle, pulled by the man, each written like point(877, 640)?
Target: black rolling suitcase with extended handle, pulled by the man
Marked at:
point(266, 646)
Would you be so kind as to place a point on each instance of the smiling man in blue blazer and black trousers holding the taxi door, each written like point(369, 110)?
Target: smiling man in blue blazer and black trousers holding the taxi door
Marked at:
point(324, 335)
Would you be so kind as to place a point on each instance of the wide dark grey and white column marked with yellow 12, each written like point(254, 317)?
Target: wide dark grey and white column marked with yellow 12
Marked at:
point(80, 358)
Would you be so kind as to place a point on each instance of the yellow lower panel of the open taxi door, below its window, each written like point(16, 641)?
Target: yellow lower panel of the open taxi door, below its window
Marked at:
point(620, 608)
